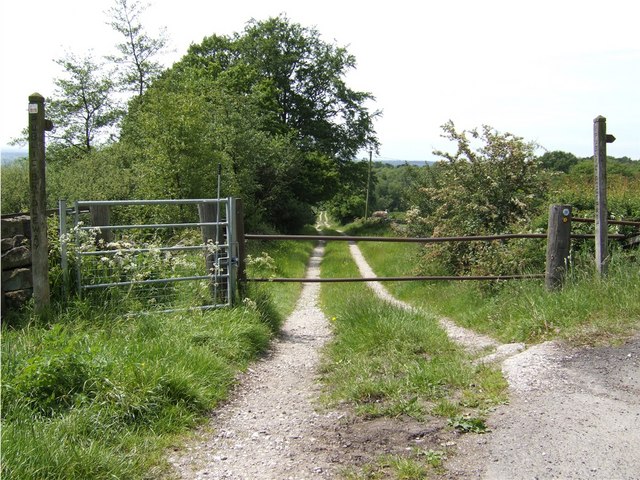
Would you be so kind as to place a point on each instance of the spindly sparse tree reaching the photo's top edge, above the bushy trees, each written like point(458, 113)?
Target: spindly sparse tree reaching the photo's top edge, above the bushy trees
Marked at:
point(138, 51)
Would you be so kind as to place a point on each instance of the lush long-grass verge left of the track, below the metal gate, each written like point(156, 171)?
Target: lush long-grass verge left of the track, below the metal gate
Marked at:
point(92, 393)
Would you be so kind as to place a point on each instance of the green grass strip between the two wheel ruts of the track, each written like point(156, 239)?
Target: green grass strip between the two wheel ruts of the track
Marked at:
point(386, 361)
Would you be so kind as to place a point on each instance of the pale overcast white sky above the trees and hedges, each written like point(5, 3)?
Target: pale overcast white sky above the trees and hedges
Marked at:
point(542, 70)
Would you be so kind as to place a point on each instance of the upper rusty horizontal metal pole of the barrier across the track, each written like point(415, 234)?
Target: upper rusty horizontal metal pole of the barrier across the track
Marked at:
point(346, 238)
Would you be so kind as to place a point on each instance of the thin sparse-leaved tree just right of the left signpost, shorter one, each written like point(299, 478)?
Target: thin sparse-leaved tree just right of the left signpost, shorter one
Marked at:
point(82, 108)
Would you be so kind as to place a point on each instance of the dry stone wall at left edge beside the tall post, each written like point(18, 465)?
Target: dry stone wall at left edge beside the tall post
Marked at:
point(17, 286)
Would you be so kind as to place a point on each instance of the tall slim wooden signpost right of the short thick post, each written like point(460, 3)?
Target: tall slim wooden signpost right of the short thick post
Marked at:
point(600, 140)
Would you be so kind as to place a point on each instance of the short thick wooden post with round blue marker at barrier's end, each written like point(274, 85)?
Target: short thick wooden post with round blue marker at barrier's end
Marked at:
point(558, 245)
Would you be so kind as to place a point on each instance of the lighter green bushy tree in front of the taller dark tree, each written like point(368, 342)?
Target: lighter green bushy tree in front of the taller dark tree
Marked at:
point(180, 133)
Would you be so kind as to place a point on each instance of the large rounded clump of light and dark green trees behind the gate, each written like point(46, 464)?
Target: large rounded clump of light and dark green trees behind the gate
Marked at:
point(270, 105)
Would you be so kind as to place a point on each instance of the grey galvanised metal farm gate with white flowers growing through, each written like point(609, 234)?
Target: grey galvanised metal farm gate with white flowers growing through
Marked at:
point(134, 250)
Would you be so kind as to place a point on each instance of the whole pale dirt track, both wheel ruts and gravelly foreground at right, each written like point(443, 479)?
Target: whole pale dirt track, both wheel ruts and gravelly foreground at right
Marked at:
point(573, 415)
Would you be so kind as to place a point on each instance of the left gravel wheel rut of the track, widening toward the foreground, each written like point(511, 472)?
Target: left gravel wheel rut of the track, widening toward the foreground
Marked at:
point(266, 431)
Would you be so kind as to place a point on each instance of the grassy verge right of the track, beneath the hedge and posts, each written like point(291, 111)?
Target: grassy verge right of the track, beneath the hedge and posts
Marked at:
point(587, 311)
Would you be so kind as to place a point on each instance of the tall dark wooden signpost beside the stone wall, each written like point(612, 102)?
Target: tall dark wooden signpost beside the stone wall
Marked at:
point(38, 192)
